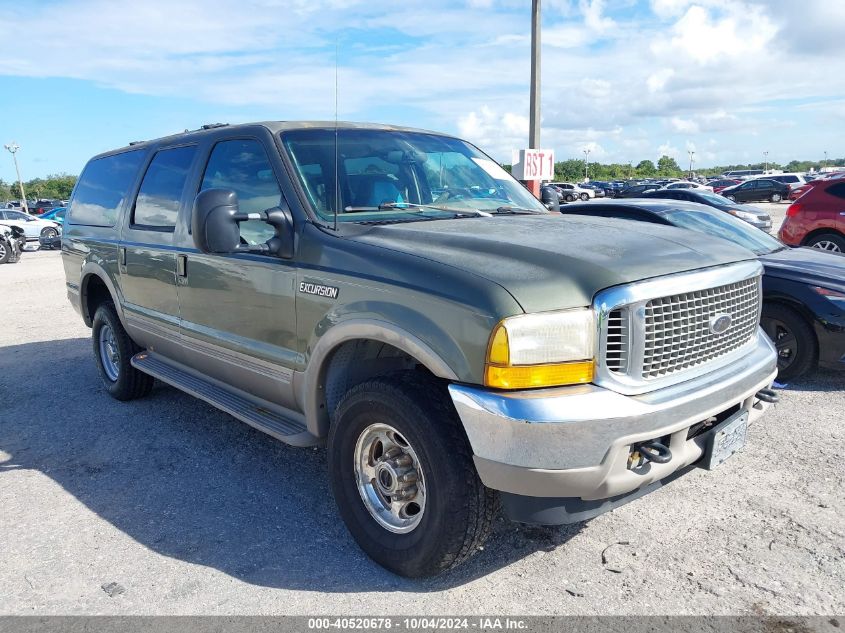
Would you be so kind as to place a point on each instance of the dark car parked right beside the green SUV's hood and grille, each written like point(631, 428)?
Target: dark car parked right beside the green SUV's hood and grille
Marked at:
point(803, 289)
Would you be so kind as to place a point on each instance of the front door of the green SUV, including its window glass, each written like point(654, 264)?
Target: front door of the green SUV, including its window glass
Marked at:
point(238, 311)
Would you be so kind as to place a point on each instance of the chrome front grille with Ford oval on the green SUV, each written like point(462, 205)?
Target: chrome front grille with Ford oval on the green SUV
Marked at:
point(664, 330)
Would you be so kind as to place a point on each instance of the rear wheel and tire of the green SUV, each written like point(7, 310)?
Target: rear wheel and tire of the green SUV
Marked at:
point(113, 351)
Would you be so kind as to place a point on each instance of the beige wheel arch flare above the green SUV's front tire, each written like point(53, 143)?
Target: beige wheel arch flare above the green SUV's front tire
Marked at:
point(310, 386)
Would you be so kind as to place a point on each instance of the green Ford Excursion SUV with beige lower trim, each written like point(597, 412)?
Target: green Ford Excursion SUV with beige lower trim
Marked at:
point(396, 295)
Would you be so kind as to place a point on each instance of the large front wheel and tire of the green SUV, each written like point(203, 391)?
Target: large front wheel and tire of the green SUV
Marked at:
point(402, 476)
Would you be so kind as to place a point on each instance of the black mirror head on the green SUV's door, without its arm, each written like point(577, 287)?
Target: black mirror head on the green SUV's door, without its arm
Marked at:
point(213, 224)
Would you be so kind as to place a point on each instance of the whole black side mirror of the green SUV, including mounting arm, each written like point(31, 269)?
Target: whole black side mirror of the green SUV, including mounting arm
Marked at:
point(216, 219)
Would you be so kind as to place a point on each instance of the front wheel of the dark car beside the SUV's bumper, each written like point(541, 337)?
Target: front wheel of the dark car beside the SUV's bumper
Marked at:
point(793, 338)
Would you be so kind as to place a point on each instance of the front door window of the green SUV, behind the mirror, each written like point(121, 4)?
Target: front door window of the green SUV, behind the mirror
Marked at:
point(242, 166)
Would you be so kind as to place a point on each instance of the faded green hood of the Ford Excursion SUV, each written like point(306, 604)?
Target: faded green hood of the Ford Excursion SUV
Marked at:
point(550, 262)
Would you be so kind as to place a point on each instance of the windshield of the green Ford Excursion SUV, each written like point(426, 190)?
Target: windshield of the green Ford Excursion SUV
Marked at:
point(386, 175)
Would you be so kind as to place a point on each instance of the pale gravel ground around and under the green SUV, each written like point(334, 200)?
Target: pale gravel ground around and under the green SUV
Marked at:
point(167, 506)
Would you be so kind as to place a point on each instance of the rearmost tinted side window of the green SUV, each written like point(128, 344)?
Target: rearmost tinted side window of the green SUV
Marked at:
point(103, 188)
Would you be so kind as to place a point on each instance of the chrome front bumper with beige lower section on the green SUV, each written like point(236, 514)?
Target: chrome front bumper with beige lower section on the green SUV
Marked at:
point(575, 441)
